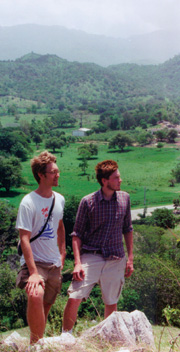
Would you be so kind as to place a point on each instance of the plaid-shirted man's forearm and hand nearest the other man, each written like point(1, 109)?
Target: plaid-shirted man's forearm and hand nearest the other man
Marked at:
point(78, 272)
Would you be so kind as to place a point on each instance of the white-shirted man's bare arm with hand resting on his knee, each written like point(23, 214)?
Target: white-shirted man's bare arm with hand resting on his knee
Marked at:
point(34, 278)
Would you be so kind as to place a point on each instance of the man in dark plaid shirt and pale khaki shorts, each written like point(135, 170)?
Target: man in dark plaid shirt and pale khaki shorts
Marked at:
point(102, 219)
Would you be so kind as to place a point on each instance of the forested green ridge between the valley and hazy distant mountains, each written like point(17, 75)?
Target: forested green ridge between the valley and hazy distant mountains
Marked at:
point(50, 79)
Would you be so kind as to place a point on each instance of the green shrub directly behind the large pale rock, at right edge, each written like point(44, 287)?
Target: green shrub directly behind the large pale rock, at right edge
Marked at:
point(155, 286)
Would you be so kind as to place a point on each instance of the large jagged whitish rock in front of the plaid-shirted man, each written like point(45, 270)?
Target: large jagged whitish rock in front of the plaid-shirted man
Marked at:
point(129, 329)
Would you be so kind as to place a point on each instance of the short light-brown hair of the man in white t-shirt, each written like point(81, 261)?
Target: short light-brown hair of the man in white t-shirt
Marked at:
point(39, 163)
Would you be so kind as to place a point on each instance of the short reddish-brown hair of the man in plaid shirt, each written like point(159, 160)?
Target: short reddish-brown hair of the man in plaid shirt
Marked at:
point(104, 169)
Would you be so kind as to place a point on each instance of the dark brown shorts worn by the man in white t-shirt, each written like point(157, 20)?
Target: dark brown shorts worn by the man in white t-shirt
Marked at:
point(51, 275)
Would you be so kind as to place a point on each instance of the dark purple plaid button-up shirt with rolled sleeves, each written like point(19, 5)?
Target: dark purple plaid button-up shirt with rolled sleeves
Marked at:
point(100, 223)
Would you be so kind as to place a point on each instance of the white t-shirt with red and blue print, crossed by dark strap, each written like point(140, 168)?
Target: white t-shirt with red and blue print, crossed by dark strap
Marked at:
point(32, 214)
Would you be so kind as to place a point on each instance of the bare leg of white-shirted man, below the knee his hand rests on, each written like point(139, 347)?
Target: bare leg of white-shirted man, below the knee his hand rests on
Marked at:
point(36, 316)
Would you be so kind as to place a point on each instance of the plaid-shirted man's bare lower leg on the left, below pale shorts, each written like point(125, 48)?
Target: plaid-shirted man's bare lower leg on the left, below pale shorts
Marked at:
point(70, 313)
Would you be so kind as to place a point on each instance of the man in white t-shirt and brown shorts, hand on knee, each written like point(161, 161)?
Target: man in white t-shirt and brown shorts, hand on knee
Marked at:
point(43, 259)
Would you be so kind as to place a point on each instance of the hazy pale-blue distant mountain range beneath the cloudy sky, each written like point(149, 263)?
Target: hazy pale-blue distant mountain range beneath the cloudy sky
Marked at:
point(74, 45)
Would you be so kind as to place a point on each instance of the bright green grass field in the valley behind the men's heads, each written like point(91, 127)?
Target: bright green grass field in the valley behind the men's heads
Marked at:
point(145, 171)
